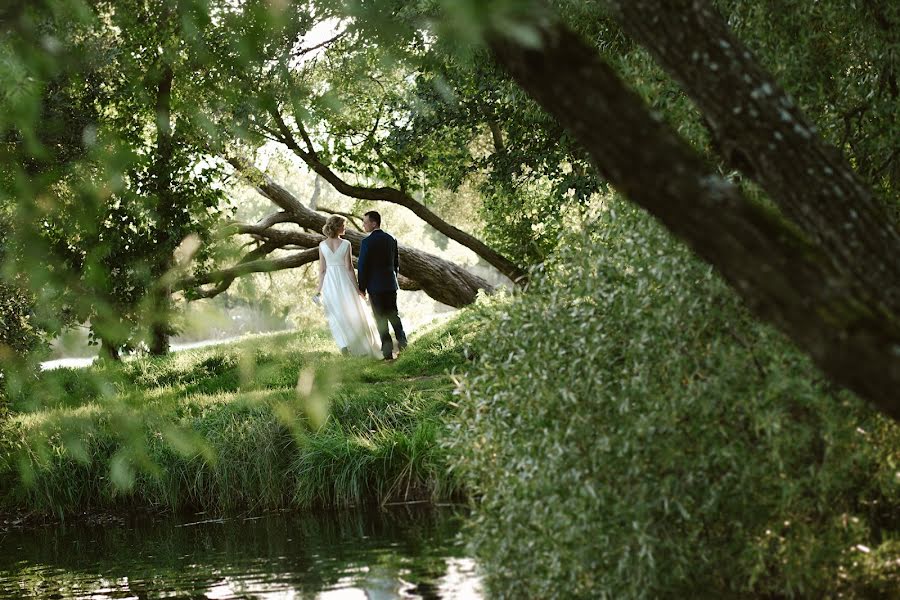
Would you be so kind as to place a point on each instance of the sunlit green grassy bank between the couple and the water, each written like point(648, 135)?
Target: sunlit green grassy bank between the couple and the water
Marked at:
point(267, 422)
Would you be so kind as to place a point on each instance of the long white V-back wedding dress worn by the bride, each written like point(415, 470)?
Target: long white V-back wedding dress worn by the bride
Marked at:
point(349, 318)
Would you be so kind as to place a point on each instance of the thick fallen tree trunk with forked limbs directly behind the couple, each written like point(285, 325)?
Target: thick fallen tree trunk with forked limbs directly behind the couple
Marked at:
point(442, 280)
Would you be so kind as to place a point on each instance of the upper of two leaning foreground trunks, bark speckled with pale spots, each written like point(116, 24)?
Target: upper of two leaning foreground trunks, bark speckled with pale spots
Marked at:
point(754, 120)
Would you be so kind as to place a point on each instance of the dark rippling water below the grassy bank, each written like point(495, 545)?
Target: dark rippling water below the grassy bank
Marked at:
point(397, 553)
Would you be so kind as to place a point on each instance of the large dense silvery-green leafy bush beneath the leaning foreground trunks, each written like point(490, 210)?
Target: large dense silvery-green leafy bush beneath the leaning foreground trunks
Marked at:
point(630, 431)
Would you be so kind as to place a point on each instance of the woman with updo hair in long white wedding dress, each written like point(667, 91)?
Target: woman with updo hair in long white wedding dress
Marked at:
point(349, 319)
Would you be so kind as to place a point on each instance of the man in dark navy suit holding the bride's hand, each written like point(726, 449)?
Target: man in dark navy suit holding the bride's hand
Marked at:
point(378, 265)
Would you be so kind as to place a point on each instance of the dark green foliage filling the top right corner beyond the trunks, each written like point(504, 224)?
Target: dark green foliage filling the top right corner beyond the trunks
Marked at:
point(842, 67)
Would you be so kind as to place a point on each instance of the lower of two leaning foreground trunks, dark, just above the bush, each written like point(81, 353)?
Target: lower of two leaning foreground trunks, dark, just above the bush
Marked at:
point(782, 276)
